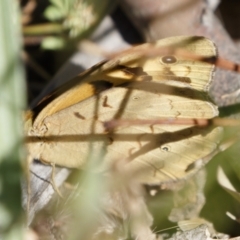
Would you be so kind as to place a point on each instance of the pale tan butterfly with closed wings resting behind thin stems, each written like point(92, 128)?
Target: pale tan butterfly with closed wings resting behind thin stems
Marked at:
point(66, 127)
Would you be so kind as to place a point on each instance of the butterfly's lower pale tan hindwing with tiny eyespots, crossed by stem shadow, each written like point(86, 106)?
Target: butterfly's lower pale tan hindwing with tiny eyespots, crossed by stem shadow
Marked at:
point(160, 153)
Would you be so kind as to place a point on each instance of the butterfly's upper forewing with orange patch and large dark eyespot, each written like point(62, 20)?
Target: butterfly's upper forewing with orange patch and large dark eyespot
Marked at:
point(136, 65)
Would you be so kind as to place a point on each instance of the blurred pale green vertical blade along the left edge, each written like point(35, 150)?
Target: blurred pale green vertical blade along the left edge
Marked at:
point(12, 102)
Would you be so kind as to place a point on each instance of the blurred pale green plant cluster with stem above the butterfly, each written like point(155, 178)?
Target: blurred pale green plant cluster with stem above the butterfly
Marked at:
point(69, 21)
